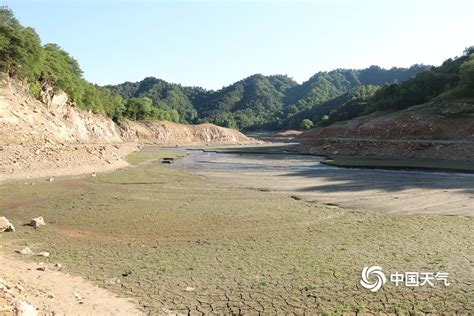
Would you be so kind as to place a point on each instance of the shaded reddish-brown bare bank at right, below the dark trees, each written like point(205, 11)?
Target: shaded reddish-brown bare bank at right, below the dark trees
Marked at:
point(429, 131)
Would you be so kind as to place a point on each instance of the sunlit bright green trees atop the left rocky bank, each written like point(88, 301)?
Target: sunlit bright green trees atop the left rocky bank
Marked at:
point(49, 67)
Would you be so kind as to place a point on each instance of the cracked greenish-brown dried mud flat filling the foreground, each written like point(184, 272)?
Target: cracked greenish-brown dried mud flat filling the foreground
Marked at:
point(191, 244)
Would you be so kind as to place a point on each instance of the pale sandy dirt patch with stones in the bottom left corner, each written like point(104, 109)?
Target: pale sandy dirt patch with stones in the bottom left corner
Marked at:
point(56, 293)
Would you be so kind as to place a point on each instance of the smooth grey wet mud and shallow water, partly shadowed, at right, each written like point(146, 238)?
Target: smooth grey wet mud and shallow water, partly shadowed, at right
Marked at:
point(305, 177)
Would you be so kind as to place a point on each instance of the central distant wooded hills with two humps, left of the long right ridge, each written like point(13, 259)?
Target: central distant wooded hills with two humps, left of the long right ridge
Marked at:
point(251, 101)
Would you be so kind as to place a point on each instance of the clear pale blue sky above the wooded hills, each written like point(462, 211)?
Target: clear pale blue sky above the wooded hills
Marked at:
point(215, 43)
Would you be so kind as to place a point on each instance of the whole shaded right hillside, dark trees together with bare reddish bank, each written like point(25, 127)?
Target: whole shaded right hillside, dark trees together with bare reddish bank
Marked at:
point(428, 117)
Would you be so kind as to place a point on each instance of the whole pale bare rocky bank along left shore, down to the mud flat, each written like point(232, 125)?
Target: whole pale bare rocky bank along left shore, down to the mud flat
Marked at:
point(39, 139)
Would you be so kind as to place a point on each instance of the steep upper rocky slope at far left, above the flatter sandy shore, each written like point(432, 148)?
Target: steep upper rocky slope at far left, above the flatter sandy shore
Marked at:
point(26, 121)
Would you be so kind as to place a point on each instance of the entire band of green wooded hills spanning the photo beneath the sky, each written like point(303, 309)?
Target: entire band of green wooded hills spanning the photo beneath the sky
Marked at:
point(256, 102)
